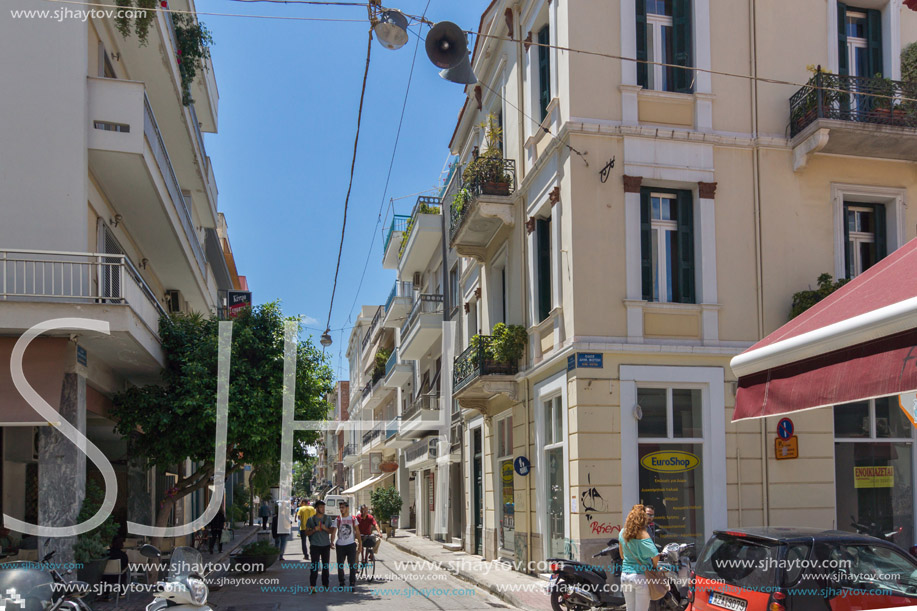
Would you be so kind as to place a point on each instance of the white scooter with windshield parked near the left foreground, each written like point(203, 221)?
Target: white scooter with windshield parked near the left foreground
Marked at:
point(184, 586)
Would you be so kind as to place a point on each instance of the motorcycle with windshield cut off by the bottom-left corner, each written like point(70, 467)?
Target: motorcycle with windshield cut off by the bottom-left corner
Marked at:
point(29, 586)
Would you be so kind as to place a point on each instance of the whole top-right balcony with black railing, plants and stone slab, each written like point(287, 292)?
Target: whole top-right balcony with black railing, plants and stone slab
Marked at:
point(851, 115)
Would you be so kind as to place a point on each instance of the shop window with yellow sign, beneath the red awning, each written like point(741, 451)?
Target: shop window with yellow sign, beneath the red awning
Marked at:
point(873, 457)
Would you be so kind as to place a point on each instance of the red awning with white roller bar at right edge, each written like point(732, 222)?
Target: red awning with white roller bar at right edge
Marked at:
point(858, 343)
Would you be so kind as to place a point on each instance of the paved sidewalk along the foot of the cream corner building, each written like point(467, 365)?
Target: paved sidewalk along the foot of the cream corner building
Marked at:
point(497, 578)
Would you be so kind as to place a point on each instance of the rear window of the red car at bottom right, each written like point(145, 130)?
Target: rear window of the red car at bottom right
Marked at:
point(738, 561)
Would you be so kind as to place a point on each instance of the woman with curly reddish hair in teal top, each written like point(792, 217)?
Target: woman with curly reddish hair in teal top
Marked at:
point(639, 555)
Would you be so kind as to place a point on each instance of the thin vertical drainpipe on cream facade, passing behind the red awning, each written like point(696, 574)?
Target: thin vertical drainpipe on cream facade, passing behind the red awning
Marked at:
point(759, 264)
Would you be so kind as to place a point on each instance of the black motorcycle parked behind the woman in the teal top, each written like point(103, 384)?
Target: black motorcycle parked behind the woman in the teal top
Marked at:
point(575, 586)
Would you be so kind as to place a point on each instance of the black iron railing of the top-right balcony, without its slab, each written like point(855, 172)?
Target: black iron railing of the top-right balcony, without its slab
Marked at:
point(857, 99)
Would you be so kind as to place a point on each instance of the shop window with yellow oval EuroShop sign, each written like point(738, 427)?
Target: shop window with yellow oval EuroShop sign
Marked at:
point(670, 452)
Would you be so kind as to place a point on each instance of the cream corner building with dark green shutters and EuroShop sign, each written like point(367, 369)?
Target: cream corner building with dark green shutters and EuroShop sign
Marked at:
point(657, 221)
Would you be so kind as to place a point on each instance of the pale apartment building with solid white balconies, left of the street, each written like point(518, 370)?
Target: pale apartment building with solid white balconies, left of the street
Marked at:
point(109, 213)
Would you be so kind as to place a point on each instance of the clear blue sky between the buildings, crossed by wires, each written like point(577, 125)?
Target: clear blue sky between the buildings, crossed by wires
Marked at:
point(289, 93)
